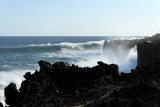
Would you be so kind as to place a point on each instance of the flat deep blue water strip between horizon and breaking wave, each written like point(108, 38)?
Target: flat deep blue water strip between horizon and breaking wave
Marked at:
point(14, 41)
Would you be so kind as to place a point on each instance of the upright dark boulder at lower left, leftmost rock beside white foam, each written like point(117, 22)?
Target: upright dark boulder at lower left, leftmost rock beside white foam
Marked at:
point(12, 94)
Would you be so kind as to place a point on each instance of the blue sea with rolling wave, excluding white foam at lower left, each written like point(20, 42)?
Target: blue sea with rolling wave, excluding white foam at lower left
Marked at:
point(25, 52)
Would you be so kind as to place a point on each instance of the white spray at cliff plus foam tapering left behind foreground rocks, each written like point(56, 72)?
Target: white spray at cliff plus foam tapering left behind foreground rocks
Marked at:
point(125, 59)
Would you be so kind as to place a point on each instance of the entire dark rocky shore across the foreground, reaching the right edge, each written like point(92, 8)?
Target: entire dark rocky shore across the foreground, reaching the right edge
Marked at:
point(61, 84)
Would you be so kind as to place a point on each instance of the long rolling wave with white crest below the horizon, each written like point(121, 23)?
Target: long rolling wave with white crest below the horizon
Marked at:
point(54, 47)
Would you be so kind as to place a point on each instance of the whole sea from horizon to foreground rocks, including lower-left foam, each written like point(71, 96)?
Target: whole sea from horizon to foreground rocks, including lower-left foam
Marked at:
point(21, 54)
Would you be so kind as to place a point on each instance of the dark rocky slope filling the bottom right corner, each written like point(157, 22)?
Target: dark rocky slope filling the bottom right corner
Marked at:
point(140, 88)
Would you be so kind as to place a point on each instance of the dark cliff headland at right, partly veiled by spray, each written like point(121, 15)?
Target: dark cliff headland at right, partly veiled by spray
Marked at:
point(147, 48)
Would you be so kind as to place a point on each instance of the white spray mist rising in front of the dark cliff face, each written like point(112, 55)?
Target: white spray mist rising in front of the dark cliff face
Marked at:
point(125, 57)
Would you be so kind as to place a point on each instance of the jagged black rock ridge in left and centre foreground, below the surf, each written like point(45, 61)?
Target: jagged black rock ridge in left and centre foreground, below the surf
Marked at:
point(59, 84)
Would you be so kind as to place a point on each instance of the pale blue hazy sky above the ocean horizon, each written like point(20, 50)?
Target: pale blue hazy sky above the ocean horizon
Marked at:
point(79, 17)
